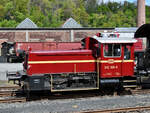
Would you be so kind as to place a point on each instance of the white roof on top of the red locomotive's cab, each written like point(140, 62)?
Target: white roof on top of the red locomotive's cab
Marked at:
point(114, 39)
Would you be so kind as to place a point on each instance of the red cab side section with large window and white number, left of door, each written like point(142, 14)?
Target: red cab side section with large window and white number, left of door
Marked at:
point(111, 61)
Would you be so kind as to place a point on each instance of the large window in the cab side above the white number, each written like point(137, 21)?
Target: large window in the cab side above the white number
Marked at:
point(112, 50)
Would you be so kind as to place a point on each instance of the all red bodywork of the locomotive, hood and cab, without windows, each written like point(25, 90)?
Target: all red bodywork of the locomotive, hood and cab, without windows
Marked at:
point(107, 67)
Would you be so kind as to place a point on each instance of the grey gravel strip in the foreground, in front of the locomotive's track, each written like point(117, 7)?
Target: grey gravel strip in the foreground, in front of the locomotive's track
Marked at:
point(76, 105)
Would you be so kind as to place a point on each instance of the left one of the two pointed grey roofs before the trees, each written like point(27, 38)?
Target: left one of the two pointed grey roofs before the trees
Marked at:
point(27, 23)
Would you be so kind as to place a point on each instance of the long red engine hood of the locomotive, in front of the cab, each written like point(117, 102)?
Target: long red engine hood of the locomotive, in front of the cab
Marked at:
point(61, 67)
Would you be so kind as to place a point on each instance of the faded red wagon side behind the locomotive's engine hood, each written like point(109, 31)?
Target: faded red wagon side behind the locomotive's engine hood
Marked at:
point(45, 46)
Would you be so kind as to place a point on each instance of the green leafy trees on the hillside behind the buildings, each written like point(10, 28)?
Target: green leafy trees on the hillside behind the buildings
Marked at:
point(53, 13)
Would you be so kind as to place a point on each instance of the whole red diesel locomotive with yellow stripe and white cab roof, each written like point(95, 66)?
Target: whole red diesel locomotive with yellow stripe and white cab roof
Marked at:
point(104, 61)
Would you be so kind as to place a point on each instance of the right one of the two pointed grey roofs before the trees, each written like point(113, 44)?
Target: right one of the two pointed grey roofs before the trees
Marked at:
point(71, 23)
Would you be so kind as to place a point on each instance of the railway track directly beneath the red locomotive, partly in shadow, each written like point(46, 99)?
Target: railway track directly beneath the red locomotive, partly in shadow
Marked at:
point(14, 91)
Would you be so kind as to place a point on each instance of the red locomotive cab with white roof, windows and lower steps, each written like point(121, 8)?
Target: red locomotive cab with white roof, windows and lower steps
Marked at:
point(115, 58)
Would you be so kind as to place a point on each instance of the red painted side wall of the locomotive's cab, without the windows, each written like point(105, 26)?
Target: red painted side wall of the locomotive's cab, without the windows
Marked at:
point(116, 69)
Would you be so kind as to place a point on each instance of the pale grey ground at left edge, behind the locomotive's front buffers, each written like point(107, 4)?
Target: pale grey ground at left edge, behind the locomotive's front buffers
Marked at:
point(9, 67)
